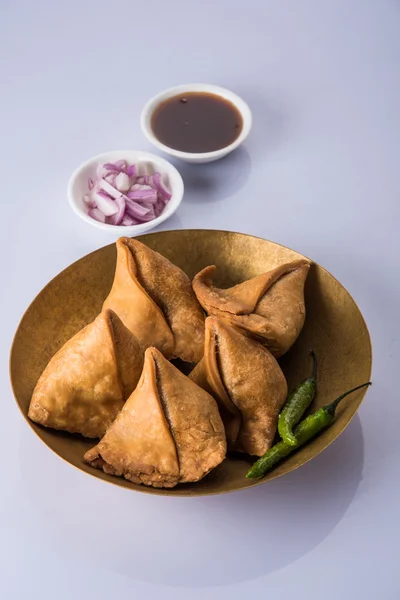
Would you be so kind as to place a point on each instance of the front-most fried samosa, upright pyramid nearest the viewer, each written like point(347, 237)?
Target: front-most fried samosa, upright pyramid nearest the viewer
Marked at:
point(168, 432)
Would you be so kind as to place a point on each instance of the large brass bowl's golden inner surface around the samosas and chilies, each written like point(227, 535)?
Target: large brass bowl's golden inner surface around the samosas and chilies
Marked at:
point(334, 328)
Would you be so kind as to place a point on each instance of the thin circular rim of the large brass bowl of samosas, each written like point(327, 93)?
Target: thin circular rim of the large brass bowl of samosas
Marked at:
point(275, 474)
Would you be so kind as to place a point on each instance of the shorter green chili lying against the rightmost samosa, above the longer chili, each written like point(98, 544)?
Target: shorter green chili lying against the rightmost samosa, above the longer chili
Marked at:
point(296, 405)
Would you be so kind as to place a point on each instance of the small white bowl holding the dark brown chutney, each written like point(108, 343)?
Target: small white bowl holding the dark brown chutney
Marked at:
point(196, 157)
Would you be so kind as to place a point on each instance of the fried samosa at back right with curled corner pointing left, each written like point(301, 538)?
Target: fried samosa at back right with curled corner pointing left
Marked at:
point(269, 307)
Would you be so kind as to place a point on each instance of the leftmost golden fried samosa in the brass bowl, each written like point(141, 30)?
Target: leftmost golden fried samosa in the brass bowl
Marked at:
point(86, 383)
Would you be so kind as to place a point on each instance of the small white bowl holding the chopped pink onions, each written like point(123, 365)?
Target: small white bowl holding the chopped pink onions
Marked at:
point(147, 165)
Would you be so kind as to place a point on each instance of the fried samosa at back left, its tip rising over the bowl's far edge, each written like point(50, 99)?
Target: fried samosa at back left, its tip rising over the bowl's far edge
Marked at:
point(155, 300)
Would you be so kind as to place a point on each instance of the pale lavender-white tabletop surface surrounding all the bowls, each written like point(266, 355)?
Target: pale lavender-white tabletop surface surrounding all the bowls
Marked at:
point(319, 173)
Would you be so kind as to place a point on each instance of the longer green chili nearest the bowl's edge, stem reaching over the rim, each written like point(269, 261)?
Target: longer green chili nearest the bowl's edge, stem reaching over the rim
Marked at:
point(305, 431)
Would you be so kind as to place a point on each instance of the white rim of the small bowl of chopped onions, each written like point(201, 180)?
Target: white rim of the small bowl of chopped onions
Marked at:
point(140, 228)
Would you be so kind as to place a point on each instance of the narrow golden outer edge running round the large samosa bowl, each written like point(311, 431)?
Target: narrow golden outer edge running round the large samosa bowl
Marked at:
point(274, 474)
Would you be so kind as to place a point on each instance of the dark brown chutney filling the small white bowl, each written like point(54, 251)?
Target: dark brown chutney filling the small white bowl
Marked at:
point(196, 122)
